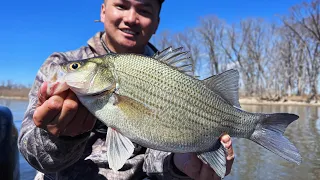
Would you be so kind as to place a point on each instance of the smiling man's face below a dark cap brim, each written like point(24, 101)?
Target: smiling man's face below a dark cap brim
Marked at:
point(129, 24)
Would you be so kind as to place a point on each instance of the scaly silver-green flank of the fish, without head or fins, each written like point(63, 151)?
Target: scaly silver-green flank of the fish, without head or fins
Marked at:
point(185, 113)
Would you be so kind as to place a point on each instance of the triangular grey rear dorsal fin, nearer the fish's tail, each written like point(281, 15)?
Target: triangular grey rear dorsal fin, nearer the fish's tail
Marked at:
point(225, 85)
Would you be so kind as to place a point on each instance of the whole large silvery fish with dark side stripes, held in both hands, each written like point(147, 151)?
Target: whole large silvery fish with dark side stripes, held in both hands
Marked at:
point(157, 103)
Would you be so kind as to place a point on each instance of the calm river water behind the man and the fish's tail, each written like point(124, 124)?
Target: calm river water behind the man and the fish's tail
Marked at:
point(252, 161)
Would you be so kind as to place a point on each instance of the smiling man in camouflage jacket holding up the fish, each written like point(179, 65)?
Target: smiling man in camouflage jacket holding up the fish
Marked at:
point(63, 140)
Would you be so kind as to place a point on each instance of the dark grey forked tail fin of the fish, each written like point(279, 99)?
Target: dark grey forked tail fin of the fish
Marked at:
point(269, 134)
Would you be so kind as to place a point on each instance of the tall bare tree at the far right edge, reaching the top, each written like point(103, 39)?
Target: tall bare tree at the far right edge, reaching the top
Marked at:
point(304, 22)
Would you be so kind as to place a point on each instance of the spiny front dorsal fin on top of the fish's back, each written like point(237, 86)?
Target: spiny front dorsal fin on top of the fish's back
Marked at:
point(177, 59)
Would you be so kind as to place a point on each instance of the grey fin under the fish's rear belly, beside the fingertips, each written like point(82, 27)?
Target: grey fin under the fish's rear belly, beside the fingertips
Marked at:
point(216, 159)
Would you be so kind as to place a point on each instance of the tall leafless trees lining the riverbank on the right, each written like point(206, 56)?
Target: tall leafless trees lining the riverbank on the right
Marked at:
point(275, 59)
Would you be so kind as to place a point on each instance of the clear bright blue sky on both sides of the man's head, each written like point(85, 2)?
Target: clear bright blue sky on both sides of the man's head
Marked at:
point(31, 30)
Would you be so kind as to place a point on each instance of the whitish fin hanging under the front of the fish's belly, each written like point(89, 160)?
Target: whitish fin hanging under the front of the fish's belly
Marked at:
point(119, 149)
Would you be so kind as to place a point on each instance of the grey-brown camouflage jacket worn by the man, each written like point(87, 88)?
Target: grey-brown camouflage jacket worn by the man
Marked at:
point(84, 156)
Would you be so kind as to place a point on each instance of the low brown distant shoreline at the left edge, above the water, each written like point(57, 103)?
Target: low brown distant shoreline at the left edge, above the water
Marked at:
point(14, 90)
